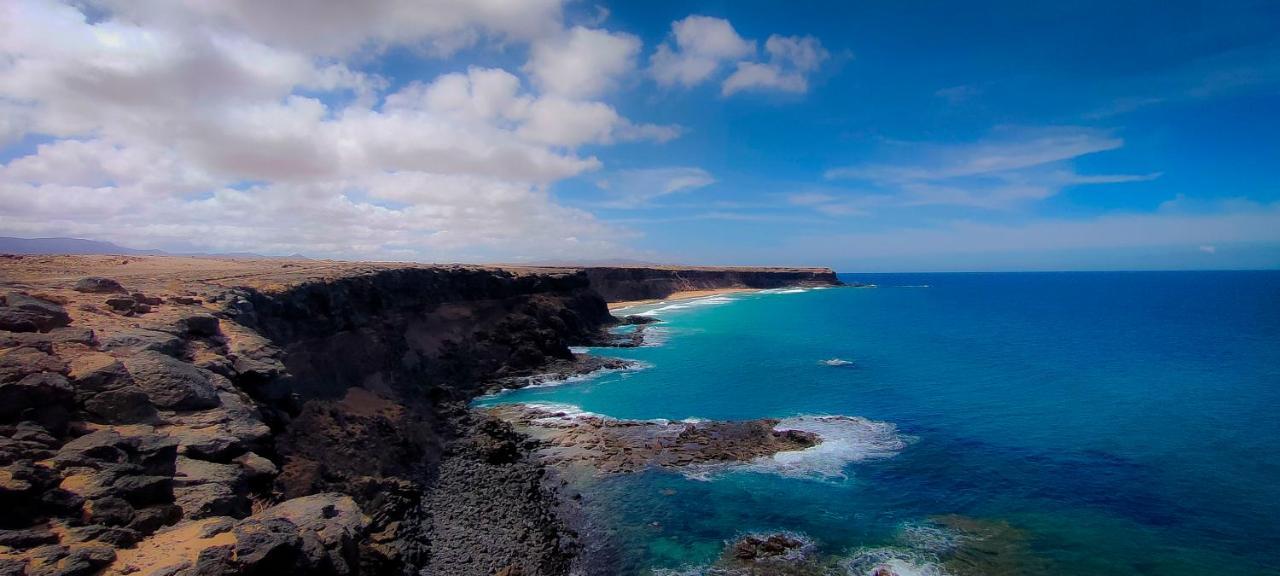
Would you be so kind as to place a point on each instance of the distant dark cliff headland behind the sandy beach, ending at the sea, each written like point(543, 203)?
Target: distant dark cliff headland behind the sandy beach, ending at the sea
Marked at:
point(619, 285)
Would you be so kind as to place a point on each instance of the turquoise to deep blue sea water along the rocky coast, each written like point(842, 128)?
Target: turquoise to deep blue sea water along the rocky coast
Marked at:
point(1114, 423)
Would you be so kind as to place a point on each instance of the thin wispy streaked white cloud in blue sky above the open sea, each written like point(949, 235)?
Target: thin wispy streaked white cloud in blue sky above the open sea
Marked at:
point(1007, 170)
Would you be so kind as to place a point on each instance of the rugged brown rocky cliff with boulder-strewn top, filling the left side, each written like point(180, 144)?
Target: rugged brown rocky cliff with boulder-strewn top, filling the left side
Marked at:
point(226, 417)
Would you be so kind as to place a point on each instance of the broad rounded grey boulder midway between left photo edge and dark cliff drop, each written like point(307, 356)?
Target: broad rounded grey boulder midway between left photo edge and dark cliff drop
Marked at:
point(171, 383)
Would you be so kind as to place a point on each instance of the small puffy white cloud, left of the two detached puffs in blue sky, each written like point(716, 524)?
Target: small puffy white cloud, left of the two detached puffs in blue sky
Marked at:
point(697, 49)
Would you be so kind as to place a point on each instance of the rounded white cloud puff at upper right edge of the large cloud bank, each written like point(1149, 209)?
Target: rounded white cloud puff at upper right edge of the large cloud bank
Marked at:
point(583, 63)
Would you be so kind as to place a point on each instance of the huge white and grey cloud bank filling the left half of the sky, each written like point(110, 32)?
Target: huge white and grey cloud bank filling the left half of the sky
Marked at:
point(228, 127)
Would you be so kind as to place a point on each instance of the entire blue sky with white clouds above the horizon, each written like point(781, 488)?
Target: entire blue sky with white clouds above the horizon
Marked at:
point(866, 136)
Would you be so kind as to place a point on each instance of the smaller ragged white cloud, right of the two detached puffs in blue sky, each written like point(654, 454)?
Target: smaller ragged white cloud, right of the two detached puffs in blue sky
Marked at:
point(792, 61)
